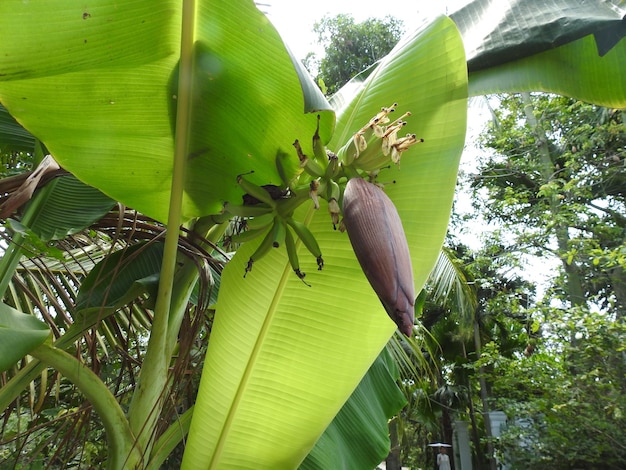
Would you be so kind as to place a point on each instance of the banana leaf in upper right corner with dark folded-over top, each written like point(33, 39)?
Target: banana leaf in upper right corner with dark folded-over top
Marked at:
point(560, 46)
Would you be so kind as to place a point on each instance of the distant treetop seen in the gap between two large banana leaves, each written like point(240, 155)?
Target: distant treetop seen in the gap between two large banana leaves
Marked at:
point(350, 47)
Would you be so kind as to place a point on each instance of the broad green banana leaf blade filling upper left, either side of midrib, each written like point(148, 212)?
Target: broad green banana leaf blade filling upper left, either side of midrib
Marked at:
point(97, 84)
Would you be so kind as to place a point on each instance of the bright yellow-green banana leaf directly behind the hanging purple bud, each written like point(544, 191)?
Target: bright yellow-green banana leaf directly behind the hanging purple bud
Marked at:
point(284, 357)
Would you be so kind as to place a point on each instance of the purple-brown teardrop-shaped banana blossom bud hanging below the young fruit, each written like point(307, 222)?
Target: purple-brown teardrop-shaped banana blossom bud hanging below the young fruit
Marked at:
point(377, 237)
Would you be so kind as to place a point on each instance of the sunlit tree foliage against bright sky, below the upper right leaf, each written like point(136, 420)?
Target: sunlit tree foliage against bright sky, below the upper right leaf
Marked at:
point(558, 189)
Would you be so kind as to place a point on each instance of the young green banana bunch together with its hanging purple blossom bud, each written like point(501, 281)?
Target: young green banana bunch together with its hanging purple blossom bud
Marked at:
point(268, 210)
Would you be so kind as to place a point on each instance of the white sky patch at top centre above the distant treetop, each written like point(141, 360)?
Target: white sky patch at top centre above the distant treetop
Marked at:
point(294, 19)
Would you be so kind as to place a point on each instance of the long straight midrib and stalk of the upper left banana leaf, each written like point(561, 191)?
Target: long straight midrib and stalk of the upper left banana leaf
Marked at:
point(147, 400)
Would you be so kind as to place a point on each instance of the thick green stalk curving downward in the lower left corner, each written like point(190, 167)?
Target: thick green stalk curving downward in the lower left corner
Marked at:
point(122, 451)
